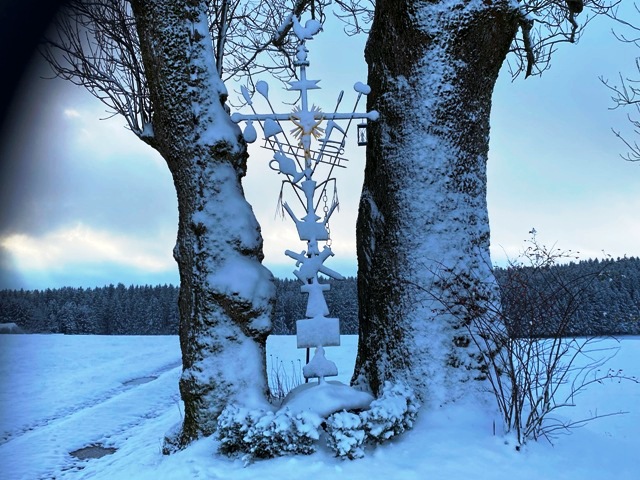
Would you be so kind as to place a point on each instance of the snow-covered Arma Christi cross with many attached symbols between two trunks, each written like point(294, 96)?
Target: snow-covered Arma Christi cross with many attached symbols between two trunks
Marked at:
point(299, 162)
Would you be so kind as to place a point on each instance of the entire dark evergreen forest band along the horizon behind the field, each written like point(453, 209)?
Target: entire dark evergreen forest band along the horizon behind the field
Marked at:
point(606, 292)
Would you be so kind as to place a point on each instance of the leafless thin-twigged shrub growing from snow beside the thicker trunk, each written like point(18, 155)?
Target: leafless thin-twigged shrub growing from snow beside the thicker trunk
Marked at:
point(532, 359)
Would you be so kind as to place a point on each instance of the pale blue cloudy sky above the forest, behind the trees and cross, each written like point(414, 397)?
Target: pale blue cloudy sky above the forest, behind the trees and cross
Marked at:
point(84, 203)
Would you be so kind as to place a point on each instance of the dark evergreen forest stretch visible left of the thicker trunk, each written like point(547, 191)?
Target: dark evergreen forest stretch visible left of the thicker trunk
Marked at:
point(148, 310)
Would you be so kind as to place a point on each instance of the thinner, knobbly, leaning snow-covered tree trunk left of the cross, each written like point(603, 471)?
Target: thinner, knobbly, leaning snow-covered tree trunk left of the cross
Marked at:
point(225, 293)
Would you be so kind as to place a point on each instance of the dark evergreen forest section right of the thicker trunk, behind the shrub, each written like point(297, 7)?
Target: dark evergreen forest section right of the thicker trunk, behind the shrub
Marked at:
point(590, 297)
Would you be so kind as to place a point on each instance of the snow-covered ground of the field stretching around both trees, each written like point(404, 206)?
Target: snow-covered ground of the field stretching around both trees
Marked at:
point(62, 393)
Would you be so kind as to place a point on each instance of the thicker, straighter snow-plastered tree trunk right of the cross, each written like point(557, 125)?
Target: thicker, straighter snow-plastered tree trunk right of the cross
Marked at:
point(423, 212)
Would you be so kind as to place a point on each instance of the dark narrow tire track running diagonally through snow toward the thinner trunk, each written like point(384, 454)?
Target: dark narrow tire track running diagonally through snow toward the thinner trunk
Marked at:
point(102, 398)
